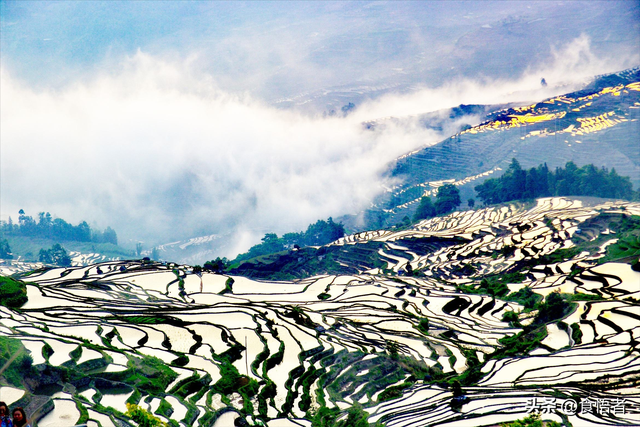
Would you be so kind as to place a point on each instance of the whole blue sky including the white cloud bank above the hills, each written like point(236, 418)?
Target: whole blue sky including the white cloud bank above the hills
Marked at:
point(168, 120)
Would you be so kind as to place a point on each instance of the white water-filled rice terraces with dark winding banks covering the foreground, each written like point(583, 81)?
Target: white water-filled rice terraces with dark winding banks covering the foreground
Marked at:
point(440, 324)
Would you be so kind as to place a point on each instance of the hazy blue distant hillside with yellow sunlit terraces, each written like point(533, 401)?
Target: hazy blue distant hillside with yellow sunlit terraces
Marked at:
point(598, 125)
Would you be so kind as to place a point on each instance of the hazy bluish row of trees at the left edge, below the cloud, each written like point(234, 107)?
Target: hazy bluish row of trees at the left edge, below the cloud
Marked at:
point(56, 229)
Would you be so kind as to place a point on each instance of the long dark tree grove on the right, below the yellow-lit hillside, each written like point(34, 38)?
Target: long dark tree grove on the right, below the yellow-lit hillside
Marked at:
point(517, 183)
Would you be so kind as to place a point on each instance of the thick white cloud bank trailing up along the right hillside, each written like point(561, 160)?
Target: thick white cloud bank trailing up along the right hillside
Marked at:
point(157, 150)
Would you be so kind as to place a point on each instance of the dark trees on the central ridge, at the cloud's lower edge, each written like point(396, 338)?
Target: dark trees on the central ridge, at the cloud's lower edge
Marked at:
point(320, 233)
